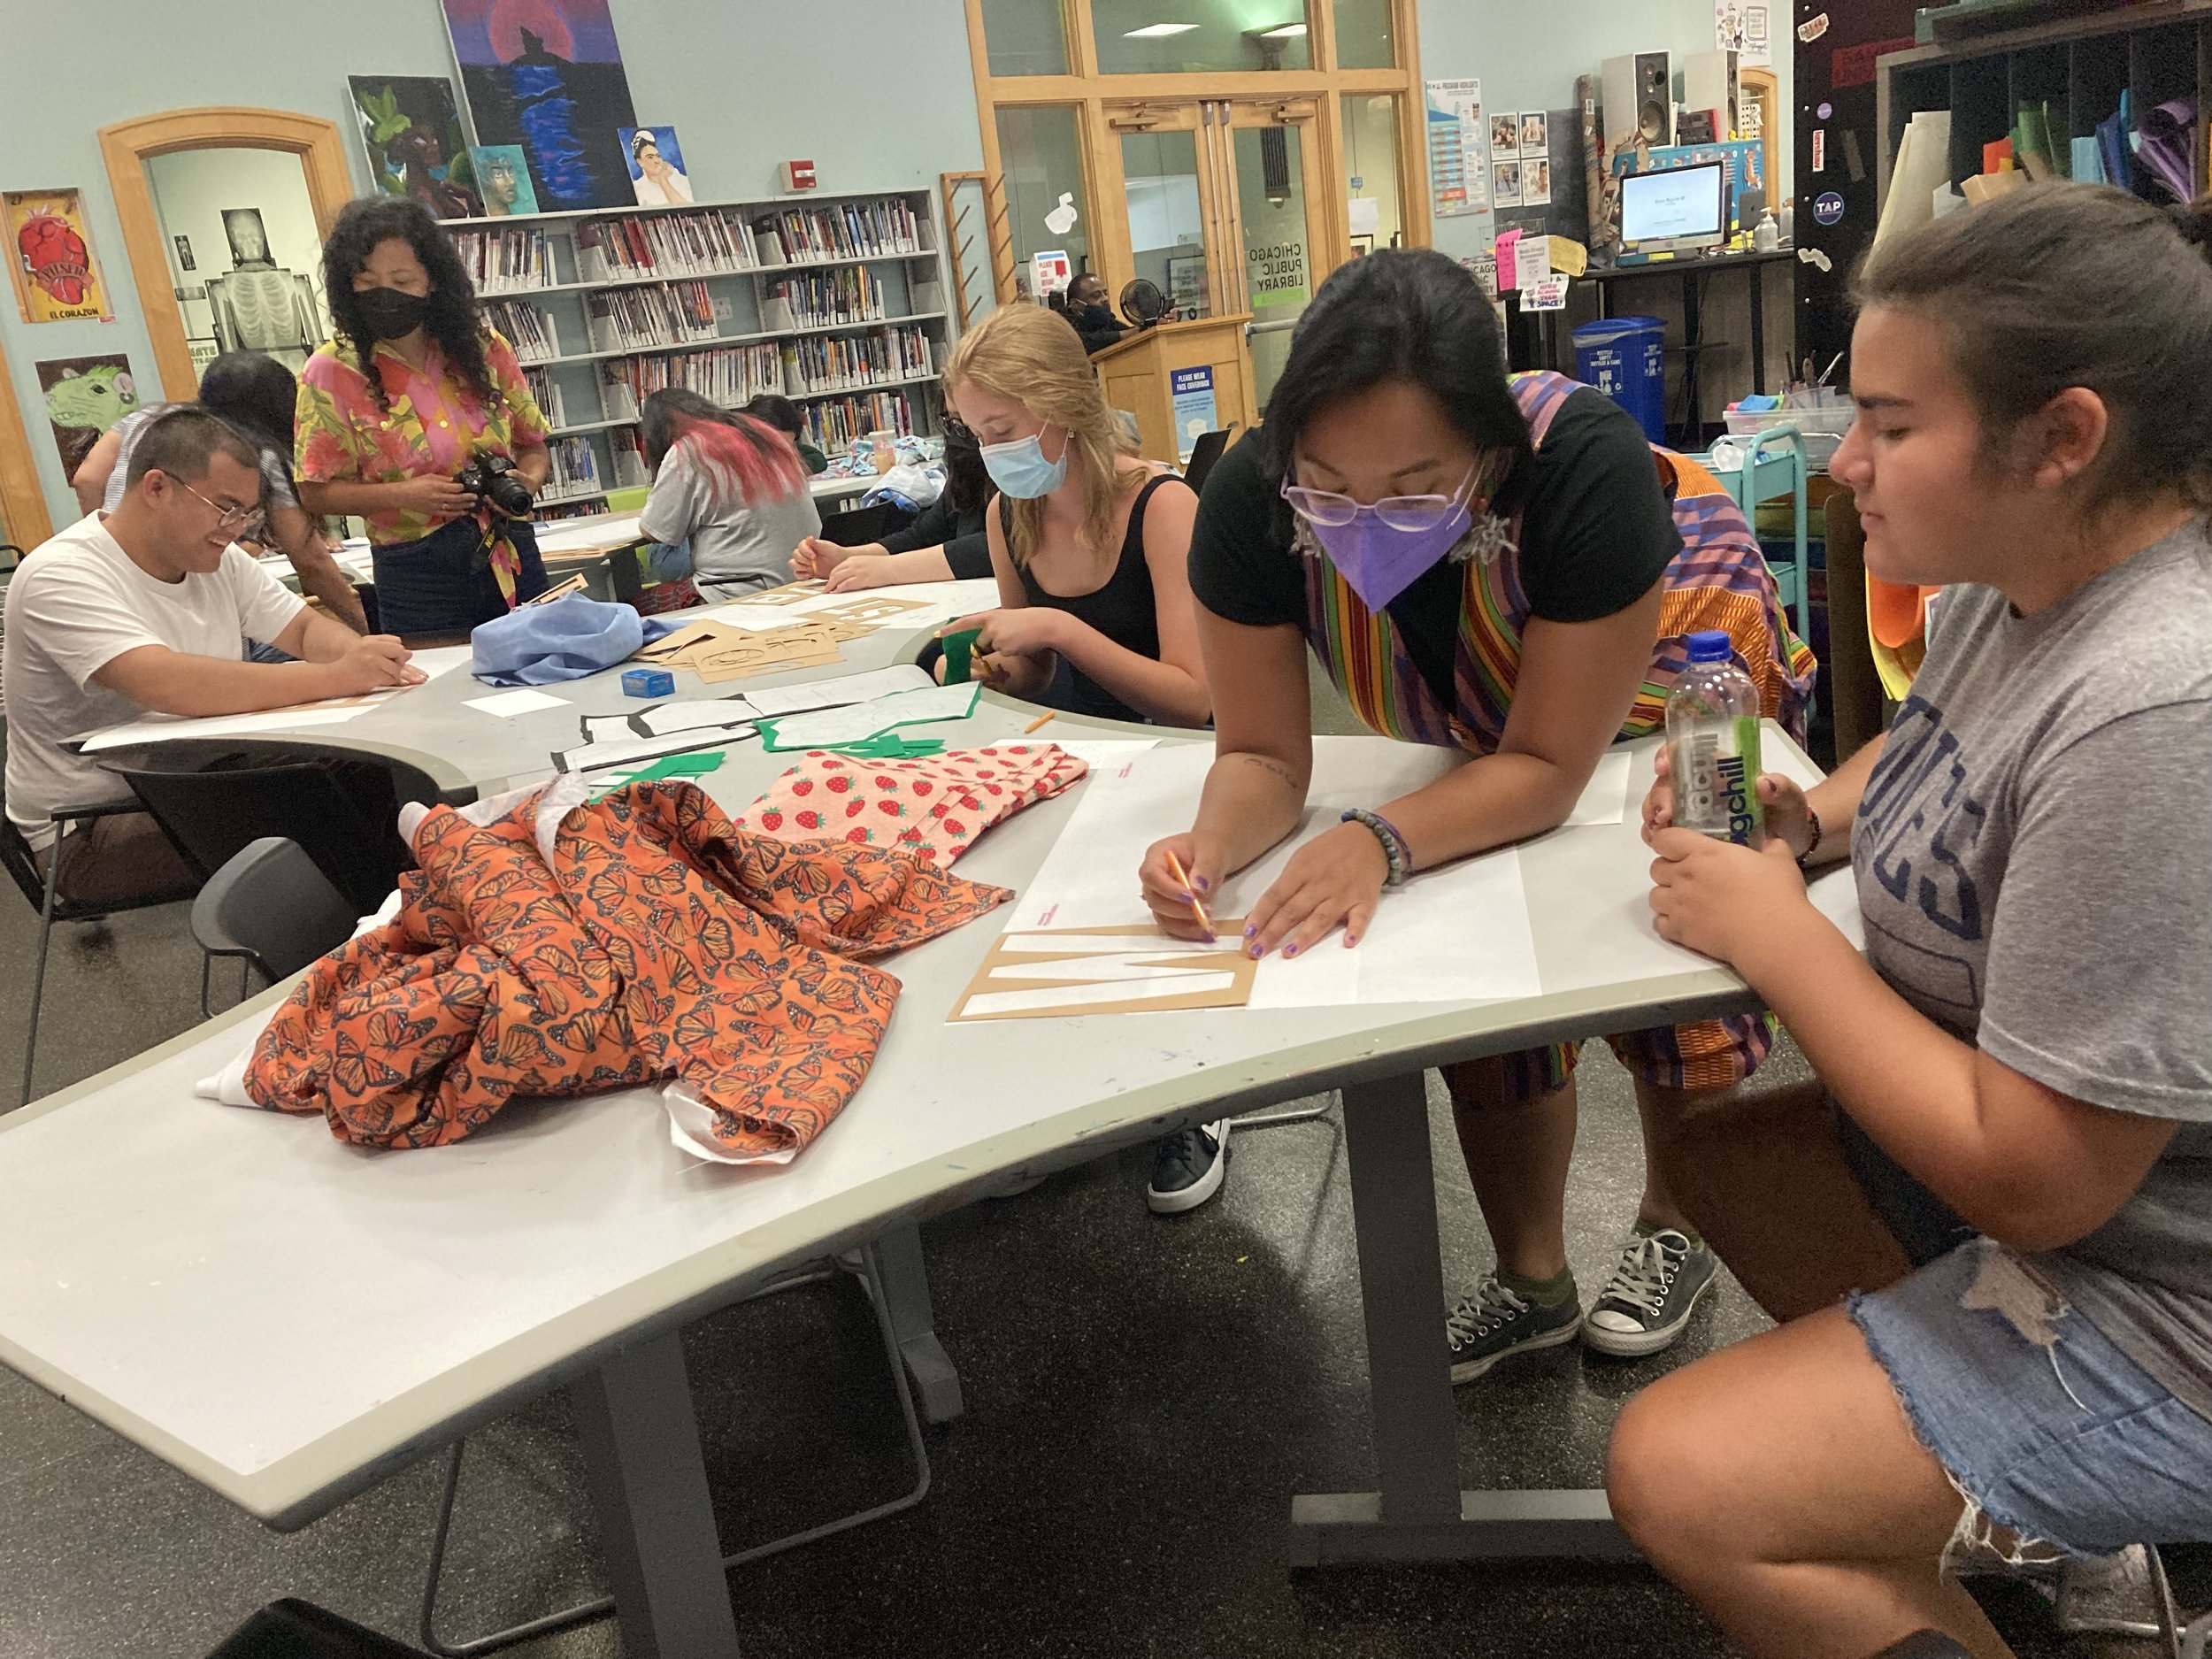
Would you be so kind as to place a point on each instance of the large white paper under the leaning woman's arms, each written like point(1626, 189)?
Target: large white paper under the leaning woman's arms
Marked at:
point(1454, 935)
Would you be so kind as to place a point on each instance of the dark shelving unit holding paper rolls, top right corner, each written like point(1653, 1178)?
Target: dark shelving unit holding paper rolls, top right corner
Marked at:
point(2078, 65)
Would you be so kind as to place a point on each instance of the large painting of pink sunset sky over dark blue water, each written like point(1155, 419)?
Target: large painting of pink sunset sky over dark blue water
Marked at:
point(547, 76)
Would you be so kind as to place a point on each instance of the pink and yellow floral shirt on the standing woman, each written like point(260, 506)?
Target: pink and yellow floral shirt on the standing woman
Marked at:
point(432, 428)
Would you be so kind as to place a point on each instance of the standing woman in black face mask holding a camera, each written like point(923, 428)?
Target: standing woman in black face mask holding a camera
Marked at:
point(399, 404)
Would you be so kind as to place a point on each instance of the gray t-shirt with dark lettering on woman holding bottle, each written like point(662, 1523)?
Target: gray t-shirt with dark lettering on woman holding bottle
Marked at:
point(2034, 864)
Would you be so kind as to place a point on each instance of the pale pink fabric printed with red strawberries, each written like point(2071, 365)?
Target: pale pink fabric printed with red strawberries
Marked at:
point(928, 808)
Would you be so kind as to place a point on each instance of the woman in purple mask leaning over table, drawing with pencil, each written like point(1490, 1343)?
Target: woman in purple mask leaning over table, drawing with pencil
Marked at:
point(1496, 565)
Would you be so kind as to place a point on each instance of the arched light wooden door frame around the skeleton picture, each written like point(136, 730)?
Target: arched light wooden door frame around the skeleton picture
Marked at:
point(129, 145)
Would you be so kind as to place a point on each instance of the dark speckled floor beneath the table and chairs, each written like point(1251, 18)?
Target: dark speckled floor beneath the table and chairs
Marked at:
point(1142, 1401)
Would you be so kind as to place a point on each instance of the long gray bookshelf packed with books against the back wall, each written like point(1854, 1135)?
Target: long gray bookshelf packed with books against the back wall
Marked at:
point(833, 302)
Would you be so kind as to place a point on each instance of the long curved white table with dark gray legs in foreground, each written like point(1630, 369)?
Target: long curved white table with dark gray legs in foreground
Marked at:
point(255, 1304)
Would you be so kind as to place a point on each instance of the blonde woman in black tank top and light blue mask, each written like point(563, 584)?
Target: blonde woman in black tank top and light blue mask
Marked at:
point(1089, 543)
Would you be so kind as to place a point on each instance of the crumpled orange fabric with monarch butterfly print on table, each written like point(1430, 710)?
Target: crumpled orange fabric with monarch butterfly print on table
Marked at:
point(647, 939)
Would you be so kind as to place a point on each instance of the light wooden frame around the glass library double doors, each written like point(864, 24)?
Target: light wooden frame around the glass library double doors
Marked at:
point(1089, 92)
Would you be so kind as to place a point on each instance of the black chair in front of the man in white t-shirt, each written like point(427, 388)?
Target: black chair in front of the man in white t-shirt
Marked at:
point(216, 797)
